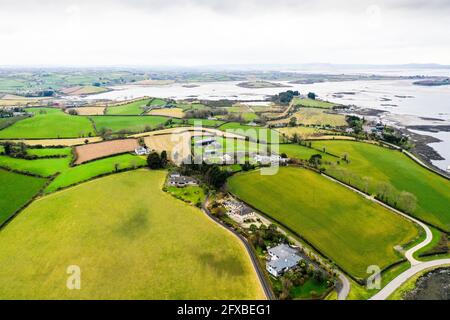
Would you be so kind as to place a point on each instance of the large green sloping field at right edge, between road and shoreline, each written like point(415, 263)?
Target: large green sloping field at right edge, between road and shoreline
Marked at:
point(371, 165)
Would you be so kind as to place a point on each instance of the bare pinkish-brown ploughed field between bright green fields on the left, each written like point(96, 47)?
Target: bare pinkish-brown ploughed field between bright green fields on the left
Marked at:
point(102, 149)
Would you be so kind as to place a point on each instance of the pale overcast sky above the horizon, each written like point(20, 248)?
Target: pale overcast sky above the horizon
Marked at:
point(205, 32)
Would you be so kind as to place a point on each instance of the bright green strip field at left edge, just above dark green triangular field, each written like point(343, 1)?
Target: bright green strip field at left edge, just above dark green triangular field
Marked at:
point(42, 167)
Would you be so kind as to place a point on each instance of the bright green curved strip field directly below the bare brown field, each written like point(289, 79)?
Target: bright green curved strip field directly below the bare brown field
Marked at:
point(80, 173)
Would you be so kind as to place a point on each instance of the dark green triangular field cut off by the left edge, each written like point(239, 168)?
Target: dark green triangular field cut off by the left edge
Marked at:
point(15, 190)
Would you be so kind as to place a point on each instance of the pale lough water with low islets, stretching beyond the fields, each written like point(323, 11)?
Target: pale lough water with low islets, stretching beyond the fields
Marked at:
point(408, 104)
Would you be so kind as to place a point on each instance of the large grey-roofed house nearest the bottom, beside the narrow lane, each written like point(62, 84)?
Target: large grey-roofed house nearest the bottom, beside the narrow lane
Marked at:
point(282, 258)
